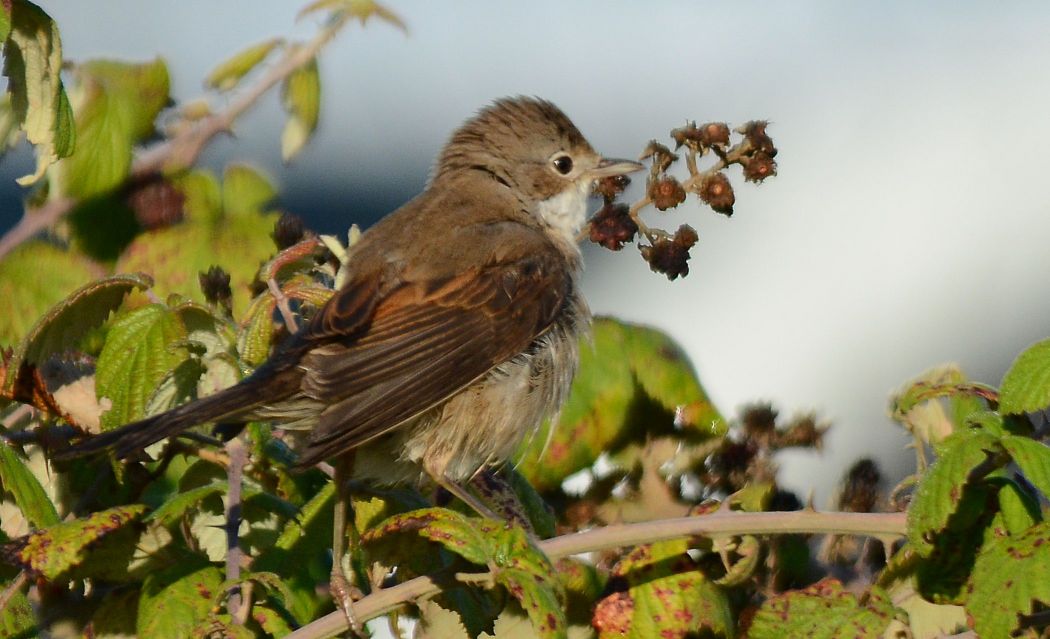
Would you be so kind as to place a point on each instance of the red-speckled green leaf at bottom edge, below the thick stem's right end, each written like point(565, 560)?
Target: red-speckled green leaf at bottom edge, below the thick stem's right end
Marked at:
point(824, 611)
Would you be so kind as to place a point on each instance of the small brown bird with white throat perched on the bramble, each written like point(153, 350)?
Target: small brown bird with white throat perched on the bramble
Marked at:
point(456, 332)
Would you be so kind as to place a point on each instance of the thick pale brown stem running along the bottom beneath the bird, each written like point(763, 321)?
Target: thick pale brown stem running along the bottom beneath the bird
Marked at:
point(723, 523)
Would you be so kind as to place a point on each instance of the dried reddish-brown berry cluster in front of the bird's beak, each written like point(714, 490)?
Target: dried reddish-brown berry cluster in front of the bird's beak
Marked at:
point(617, 224)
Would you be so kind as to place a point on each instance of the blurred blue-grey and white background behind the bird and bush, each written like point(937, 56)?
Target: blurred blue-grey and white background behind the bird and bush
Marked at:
point(908, 226)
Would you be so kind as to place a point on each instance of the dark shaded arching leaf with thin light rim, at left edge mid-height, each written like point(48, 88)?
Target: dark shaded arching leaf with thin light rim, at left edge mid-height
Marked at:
point(64, 327)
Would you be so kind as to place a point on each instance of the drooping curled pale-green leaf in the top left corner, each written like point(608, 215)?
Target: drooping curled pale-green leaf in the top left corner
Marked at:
point(33, 65)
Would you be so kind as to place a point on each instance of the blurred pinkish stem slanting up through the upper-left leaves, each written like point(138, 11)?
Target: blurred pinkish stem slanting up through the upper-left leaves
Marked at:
point(184, 150)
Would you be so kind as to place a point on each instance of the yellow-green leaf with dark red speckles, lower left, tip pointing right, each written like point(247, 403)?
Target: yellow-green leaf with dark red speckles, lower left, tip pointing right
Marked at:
point(52, 551)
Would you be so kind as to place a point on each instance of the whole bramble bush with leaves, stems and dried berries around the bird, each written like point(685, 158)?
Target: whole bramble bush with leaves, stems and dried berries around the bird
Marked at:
point(137, 281)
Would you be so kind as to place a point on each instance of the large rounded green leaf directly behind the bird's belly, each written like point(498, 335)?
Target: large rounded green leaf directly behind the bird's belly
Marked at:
point(632, 381)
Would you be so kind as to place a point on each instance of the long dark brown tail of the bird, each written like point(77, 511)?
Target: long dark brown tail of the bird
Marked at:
point(235, 401)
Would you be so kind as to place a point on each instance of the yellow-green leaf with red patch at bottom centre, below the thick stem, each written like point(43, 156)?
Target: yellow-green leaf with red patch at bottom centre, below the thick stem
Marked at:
point(667, 597)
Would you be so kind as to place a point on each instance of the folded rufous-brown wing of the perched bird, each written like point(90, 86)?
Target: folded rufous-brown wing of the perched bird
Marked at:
point(428, 340)
